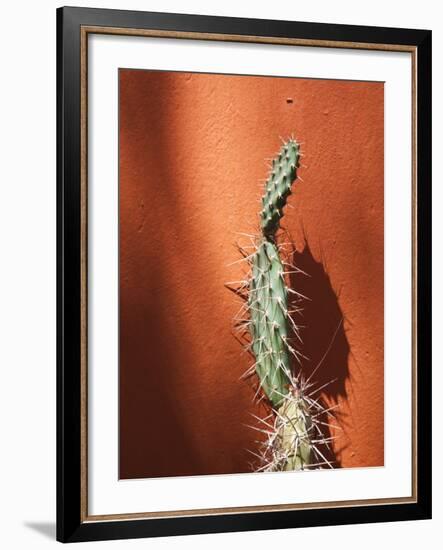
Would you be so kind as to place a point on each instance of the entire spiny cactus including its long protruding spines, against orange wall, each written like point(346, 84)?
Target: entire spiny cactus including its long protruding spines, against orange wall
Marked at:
point(290, 442)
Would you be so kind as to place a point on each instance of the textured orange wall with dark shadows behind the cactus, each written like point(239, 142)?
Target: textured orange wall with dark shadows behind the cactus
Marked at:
point(192, 164)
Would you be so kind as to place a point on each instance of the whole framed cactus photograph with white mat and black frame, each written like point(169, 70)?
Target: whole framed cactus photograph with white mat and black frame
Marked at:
point(244, 274)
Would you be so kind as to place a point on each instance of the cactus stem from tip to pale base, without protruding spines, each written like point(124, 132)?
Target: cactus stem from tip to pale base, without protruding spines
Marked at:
point(269, 324)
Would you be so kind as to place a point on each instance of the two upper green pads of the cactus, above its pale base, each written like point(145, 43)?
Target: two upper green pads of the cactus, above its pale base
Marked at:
point(268, 294)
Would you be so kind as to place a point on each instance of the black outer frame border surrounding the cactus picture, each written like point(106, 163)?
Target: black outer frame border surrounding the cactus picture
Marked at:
point(72, 525)
